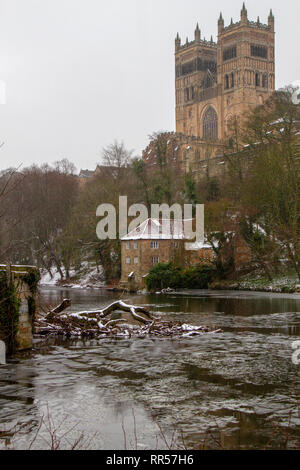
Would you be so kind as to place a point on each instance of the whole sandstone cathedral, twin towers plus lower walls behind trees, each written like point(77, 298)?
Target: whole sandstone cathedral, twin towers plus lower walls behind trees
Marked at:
point(213, 83)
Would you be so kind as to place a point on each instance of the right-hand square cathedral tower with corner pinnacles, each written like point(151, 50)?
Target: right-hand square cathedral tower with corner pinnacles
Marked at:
point(246, 69)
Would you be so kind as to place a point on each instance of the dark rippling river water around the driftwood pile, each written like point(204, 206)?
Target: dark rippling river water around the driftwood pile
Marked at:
point(233, 390)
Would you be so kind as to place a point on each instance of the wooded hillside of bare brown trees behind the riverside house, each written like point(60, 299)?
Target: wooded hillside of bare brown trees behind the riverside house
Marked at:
point(49, 219)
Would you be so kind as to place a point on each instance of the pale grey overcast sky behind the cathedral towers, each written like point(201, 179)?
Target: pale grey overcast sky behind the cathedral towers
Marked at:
point(81, 73)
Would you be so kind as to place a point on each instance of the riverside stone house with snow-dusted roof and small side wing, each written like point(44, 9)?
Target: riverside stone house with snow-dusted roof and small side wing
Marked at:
point(157, 241)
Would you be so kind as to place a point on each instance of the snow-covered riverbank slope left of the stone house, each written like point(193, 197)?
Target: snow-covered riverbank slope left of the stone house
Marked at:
point(87, 277)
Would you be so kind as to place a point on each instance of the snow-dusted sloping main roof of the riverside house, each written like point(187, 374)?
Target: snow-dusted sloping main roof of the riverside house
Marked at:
point(162, 229)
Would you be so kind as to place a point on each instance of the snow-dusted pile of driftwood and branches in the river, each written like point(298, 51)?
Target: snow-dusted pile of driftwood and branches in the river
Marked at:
point(98, 323)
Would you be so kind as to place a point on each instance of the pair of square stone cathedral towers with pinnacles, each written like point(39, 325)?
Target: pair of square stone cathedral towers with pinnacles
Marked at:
point(215, 82)
